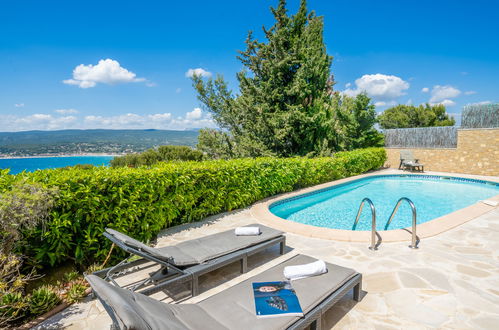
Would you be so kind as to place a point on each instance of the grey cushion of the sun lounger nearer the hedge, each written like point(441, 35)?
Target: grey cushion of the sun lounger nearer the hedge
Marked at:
point(202, 249)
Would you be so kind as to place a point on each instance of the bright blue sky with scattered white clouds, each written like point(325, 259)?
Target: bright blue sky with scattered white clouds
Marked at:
point(126, 64)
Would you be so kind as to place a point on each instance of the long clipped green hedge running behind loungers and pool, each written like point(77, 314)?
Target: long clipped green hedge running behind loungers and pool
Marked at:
point(142, 201)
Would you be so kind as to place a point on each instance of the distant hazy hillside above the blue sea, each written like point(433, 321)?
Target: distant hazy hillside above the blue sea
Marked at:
point(31, 143)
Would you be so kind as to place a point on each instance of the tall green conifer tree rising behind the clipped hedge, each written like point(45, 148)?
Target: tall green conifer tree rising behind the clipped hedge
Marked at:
point(283, 107)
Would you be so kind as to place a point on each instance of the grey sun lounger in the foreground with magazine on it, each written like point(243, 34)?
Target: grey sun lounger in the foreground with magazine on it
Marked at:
point(232, 308)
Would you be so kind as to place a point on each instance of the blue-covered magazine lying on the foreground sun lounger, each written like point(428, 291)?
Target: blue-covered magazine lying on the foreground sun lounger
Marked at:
point(276, 299)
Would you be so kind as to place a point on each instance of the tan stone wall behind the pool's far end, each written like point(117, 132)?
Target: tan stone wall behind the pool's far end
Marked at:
point(477, 152)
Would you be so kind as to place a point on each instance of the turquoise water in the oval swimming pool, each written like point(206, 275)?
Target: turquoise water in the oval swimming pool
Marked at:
point(337, 207)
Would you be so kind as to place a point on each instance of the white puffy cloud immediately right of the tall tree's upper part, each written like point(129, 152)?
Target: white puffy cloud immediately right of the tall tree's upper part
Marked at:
point(381, 87)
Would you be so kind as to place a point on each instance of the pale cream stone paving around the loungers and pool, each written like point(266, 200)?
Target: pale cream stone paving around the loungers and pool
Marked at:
point(451, 281)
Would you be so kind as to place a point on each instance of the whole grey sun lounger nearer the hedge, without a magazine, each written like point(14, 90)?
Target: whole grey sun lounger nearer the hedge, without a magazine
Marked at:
point(187, 261)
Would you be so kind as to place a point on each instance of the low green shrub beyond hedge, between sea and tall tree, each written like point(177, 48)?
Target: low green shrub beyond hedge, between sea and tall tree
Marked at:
point(162, 154)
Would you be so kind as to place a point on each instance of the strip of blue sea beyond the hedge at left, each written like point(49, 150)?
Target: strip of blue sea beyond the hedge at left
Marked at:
point(31, 164)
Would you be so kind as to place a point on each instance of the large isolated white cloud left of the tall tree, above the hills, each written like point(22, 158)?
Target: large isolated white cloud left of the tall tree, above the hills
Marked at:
point(107, 71)
